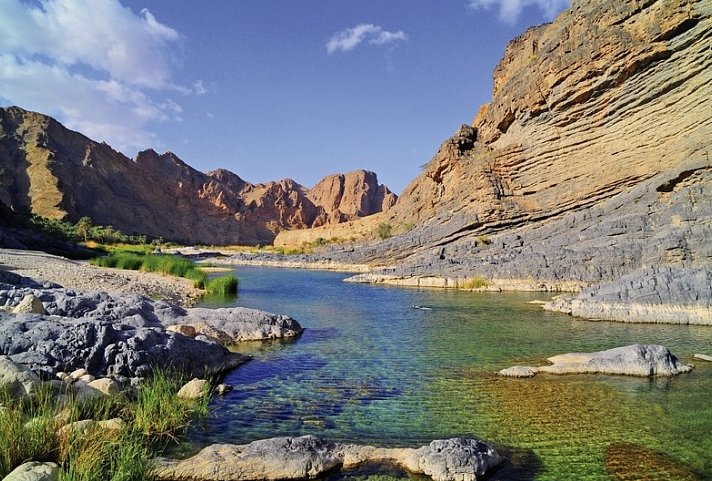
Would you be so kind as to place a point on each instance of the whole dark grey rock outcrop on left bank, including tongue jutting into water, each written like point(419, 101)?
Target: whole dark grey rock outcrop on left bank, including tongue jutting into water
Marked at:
point(126, 335)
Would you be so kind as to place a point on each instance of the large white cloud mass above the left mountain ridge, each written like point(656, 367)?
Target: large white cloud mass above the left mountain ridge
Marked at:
point(94, 64)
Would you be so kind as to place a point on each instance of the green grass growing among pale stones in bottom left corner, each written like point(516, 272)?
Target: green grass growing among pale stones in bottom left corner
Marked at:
point(29, 431)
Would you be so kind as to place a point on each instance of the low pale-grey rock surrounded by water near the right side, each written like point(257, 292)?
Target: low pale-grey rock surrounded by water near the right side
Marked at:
point(633, 360)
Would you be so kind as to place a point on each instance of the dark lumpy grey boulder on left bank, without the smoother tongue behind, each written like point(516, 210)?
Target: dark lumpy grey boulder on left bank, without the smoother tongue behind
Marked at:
point(107, 348)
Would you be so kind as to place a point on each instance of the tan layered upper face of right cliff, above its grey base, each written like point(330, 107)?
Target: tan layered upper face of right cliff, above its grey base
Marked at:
point(608, 95)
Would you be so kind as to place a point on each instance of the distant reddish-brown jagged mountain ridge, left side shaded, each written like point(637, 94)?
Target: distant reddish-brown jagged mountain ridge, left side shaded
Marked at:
point(55, 172)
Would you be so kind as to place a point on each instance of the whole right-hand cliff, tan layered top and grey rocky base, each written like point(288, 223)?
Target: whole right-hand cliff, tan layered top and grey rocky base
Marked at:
point(589, 166)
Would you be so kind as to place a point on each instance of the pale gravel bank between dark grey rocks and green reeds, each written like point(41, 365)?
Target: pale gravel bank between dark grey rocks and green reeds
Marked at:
point(82, 276)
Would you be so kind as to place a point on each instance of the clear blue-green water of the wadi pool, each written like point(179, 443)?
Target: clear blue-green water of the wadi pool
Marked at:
point(372, 369)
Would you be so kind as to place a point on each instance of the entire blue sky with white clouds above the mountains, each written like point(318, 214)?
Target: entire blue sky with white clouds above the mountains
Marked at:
point(266, 88)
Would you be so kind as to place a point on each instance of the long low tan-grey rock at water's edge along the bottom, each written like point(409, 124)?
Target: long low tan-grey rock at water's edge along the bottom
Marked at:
point(307, 457)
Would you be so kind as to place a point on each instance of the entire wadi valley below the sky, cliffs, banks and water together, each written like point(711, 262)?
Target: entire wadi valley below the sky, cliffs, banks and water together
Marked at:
point(535, 305)
